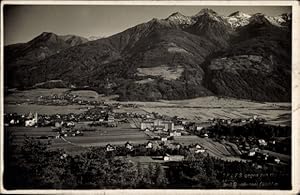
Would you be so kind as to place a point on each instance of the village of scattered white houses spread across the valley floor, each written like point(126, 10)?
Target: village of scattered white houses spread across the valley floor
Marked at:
point(164, 138)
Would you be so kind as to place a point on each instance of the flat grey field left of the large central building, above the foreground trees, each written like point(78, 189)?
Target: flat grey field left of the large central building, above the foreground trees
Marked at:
point(100, 137)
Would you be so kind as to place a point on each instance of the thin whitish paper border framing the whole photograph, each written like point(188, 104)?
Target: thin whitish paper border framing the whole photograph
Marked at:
point(295, 94)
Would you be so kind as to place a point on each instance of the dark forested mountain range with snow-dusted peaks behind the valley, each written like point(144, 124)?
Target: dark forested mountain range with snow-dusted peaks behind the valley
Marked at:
point(179, 57)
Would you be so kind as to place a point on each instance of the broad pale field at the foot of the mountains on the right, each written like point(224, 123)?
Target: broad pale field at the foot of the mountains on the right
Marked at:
point(202, 109)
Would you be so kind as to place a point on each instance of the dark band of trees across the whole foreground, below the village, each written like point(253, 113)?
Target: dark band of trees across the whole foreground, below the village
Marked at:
point(33, 165)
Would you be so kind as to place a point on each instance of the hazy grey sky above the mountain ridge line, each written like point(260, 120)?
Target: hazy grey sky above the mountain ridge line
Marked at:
point(24, 22)
